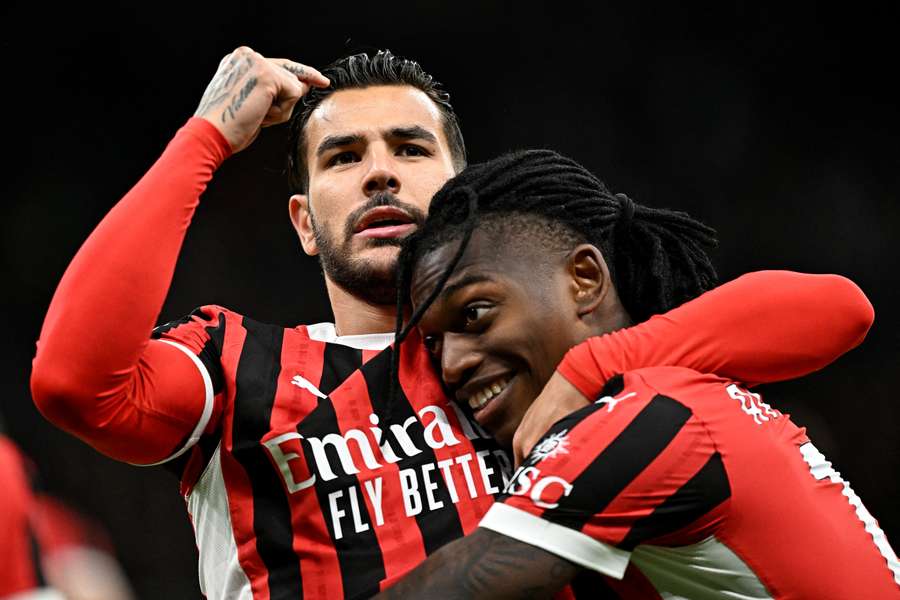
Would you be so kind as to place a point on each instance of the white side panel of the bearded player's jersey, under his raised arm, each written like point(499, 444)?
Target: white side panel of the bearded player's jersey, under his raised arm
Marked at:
point(221, 575)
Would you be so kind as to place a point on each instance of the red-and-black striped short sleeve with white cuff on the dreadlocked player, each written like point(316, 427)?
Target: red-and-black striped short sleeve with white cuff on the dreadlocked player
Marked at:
point(628, 468)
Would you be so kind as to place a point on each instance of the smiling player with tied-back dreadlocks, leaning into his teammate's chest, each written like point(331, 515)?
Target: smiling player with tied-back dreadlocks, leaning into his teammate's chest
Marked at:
point(673, 483)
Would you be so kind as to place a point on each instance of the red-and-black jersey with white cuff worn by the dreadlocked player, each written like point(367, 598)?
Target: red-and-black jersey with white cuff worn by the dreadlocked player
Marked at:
point(699, 490)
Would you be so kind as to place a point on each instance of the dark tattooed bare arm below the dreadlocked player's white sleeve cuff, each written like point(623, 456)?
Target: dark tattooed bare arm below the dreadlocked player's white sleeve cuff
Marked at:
point(486, 565)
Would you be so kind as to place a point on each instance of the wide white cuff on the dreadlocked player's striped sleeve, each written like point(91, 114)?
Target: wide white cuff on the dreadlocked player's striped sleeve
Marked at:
point(572, 545)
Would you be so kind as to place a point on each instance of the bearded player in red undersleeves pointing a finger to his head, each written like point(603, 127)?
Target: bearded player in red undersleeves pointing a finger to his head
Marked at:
point(299, 478)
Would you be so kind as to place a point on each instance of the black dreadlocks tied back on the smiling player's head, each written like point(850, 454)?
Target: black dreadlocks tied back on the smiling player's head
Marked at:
point(657, 257)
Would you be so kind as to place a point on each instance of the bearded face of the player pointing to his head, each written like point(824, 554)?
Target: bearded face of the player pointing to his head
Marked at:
point(376, 156)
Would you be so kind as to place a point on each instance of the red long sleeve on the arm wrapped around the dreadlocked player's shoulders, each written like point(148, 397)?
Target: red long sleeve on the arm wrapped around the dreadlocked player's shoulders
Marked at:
point(761, 327)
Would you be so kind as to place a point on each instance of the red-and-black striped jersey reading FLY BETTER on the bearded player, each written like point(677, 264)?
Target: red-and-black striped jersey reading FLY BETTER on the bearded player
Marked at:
point(313, 484)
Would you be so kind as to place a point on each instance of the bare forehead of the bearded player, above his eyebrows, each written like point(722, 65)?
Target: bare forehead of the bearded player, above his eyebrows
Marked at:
point(372, 110)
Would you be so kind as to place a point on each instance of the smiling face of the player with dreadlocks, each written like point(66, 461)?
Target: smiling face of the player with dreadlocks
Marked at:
point(502, 323)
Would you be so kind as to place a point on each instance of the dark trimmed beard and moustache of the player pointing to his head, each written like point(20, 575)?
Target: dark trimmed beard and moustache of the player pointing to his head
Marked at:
point(374, 283)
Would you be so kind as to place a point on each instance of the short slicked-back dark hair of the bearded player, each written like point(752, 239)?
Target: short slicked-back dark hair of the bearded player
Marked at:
point(361, 71)
